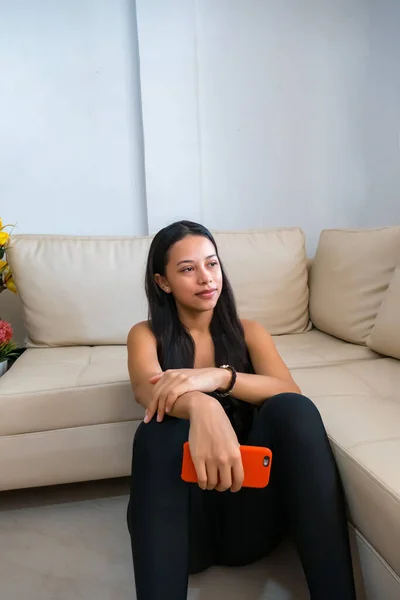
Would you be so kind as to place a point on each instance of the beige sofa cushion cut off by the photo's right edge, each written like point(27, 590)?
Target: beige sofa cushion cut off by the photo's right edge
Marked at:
point(385, 335)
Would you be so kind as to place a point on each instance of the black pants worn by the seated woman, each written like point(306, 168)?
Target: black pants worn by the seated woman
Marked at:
point(177, 529)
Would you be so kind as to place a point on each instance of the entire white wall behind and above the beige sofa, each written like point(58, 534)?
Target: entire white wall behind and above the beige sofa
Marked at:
point(255, 114)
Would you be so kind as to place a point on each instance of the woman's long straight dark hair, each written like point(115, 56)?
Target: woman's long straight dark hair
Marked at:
point(175, 345)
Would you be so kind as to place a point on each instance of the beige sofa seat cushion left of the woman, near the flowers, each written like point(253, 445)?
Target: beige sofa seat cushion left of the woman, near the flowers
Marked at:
point(56, 388)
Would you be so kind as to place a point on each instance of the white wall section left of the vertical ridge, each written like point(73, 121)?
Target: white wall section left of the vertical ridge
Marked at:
point(71, 158)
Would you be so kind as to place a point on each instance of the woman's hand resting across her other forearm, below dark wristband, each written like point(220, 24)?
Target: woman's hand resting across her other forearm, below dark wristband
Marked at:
point(171, 384)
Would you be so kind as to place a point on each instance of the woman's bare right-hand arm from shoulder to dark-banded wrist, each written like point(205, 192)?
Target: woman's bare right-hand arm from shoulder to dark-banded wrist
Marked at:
point(272, 375)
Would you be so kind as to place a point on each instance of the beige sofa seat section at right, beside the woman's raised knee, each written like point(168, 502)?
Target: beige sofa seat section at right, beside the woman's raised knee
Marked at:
point(360, 405)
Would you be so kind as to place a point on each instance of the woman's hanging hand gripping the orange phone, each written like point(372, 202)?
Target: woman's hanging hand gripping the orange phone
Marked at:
point(214, 447)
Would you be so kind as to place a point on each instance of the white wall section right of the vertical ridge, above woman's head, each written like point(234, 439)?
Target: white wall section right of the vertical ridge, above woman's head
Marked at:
point(260, 114)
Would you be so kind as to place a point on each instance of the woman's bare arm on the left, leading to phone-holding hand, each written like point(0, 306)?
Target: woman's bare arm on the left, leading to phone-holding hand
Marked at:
point(143, 364)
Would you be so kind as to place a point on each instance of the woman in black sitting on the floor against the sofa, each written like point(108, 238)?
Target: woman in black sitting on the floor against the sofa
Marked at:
point(174, 361)
